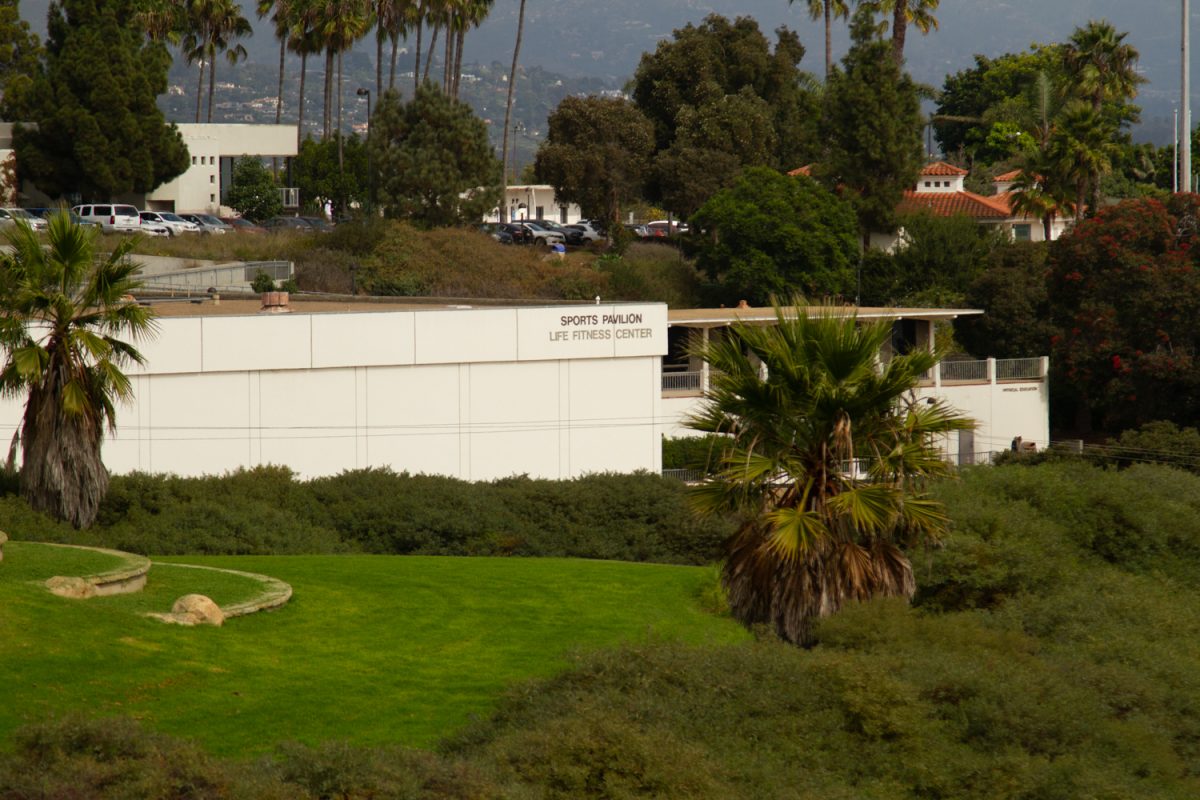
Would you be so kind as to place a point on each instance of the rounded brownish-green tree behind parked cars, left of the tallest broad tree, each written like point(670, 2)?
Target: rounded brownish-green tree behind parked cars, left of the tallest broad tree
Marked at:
point(597, 154)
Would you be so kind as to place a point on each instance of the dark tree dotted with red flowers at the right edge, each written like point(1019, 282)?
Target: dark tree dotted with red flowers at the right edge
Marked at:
point(1125, 293)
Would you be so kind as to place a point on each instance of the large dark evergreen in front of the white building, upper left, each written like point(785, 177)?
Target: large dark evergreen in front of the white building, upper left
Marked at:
point(97, 128)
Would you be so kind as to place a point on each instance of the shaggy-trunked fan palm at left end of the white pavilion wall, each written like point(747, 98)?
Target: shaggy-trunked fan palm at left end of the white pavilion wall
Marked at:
point(64, 311)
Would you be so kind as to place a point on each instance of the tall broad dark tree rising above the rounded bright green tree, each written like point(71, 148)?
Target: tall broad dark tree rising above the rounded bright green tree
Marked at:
point(692, 82)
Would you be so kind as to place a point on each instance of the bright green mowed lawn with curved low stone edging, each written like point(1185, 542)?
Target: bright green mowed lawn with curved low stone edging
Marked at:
point(371, 649)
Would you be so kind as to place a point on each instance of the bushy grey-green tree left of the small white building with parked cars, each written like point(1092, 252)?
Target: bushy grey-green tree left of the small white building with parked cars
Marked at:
point(433, 159)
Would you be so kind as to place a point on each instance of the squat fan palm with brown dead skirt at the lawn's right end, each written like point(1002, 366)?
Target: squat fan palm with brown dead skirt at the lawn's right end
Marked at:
point(826, 464)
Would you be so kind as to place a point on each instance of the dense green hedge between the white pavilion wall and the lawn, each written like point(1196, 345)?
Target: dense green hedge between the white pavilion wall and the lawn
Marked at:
point(267, 512)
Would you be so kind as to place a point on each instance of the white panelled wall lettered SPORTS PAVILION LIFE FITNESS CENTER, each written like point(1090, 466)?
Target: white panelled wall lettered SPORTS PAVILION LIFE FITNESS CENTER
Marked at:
point(475, 394)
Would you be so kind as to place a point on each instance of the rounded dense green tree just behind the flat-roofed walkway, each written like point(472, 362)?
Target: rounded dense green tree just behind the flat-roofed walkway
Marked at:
point(772, 234)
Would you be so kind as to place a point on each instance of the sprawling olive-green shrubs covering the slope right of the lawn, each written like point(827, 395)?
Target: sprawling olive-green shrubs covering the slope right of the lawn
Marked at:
point(1053, 653)
